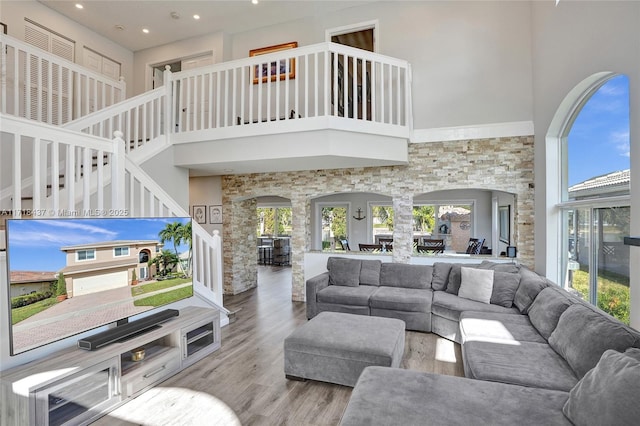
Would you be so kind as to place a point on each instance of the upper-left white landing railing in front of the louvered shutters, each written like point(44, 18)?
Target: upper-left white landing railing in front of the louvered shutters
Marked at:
point(40, 86)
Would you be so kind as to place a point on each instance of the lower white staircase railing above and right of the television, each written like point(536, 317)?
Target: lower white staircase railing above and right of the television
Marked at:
point(36, 155)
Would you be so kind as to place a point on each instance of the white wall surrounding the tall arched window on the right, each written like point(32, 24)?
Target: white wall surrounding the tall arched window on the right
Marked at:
point(572, 41)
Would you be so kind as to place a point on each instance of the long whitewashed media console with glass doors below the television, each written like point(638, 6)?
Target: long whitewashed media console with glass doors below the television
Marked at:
point(75, 386)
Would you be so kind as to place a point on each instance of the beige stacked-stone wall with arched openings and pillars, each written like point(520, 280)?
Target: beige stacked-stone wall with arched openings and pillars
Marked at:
point(499, 164)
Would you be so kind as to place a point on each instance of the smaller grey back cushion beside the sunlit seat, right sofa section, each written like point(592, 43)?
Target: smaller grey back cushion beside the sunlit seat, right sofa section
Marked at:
point(546, 309)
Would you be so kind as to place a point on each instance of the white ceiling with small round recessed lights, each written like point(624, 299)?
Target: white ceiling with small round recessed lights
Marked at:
point(231, 16)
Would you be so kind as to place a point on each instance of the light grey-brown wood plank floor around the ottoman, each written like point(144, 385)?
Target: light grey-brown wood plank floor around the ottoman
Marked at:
point(244, 383)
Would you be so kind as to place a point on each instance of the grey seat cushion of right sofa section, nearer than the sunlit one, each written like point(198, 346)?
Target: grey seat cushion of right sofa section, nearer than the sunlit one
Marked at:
point(524, 363)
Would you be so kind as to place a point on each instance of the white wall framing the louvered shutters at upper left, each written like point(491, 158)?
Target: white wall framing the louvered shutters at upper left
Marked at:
point(14, 12)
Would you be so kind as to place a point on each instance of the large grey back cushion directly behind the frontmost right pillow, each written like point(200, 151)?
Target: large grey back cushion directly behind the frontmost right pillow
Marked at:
point(582, 335)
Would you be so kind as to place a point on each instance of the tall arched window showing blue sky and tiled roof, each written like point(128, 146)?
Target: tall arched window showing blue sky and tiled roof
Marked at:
point(594, 197)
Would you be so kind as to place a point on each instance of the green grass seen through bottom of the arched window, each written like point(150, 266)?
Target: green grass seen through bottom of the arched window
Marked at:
point(613, 292)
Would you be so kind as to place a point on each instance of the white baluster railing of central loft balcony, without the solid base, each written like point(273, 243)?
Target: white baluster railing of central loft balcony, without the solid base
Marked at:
point(311, 82)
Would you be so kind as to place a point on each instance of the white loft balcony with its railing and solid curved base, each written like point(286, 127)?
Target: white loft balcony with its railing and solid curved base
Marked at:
point(317, 107)
